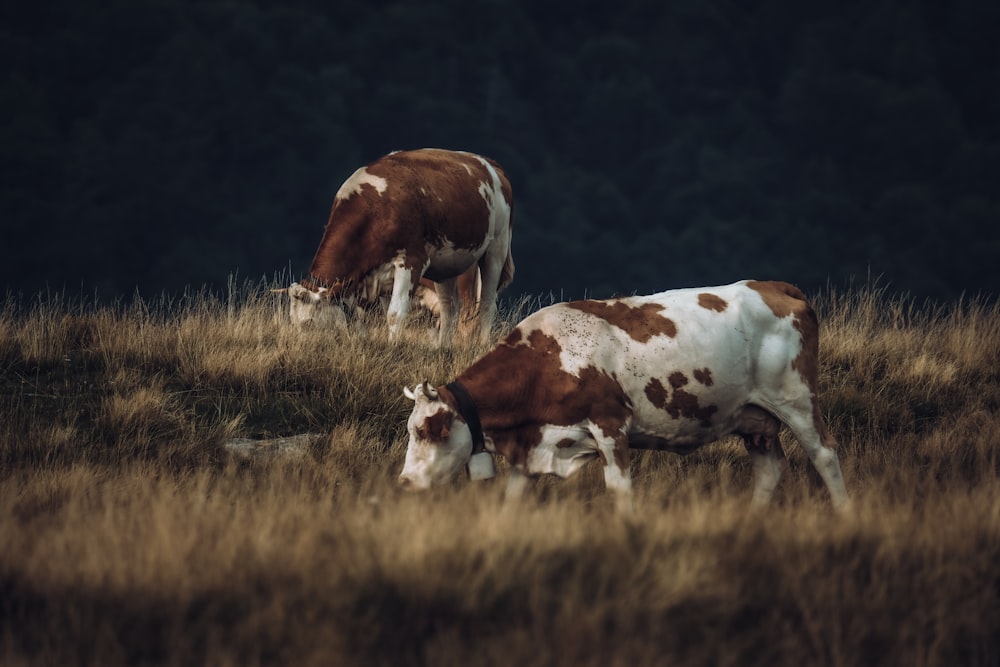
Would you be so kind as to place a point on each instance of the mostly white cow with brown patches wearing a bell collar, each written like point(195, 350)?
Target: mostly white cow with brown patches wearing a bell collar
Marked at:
point(672, 371)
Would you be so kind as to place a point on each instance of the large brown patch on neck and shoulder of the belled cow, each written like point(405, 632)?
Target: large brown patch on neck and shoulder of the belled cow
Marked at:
point(520, 386)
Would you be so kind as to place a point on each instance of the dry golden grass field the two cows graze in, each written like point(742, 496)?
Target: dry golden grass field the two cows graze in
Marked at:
point(129, 536)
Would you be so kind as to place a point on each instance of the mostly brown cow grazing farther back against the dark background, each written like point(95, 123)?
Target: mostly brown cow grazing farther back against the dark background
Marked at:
point(426, 213)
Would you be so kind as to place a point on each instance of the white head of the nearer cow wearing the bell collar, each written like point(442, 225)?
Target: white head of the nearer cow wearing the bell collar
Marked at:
point(440, 442)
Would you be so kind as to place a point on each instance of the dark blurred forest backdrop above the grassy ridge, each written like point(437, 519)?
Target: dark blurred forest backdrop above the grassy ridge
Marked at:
point(152, 145)
